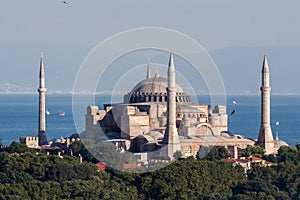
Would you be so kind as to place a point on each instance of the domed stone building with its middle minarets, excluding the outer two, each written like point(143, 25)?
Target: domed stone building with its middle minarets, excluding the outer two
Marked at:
point(158, 114)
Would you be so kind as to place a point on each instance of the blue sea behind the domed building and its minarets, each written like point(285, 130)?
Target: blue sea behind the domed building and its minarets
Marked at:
point(19, 115)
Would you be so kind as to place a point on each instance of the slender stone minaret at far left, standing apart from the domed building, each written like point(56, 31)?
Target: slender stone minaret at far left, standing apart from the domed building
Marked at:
point(42, 104)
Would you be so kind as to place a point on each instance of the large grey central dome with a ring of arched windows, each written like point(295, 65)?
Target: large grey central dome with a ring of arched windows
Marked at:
point(154, 90)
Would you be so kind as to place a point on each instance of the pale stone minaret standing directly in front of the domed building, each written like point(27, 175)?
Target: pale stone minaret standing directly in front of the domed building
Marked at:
point(171, 138)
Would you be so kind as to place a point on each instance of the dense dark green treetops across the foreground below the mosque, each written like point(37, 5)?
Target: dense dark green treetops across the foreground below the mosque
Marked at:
point(31, 175)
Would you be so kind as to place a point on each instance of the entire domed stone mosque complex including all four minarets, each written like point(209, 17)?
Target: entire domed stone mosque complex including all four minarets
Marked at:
point(157, 115)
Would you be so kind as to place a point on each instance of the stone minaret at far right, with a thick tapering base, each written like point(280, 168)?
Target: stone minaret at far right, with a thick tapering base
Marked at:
point(265, 136)
